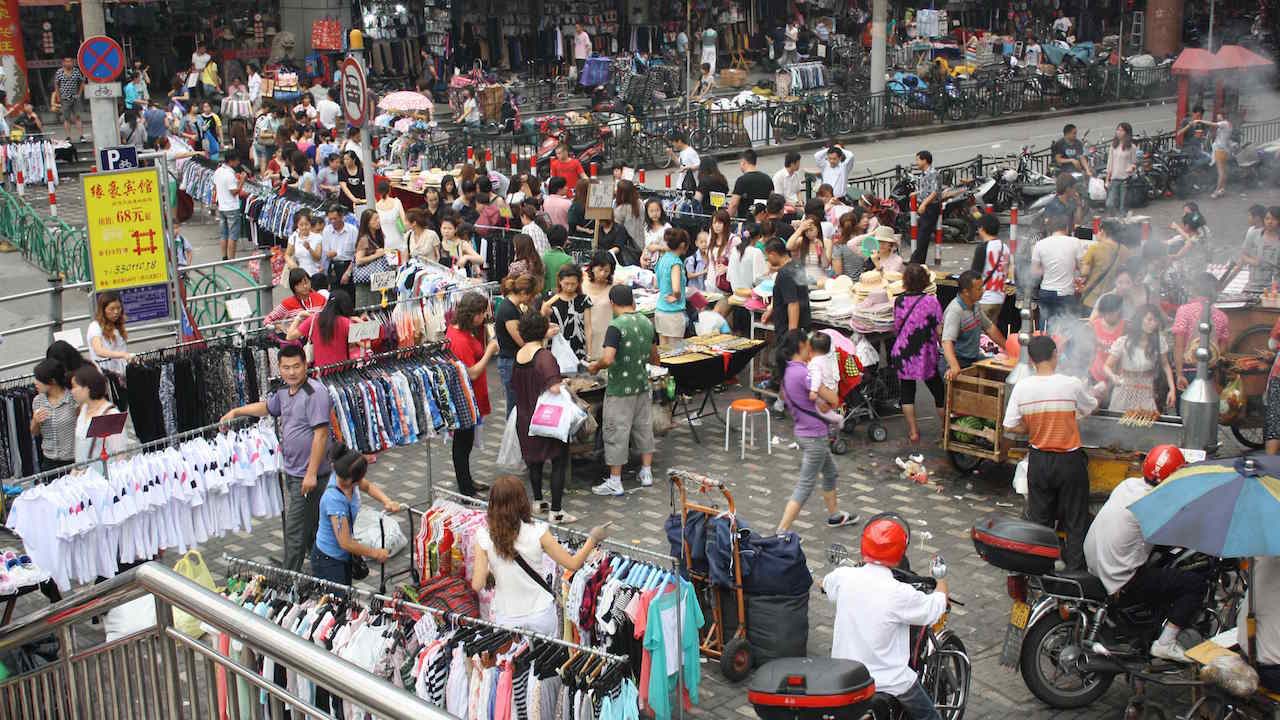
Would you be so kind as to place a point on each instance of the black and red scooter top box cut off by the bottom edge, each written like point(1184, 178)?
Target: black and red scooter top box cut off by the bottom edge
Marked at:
point(808, 689)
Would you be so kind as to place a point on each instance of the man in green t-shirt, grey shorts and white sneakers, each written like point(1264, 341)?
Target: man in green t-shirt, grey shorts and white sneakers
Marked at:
point(630, 345)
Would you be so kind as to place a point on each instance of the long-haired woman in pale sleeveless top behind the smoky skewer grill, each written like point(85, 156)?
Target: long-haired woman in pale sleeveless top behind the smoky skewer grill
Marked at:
point(1139, 358)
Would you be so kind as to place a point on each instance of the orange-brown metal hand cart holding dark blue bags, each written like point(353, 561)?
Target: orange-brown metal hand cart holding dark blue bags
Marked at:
point(734, 654)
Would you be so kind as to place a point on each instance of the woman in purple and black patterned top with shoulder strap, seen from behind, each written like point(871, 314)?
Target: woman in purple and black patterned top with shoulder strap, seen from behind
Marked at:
point(917, 321)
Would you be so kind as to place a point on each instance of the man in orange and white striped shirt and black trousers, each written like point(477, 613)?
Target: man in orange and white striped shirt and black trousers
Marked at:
point(1048, 408)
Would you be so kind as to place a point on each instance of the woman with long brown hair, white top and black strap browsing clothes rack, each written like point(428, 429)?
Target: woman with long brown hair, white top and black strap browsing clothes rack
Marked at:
point(513, 541)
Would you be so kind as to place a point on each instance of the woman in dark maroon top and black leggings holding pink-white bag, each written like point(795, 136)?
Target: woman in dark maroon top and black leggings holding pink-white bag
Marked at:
point(536, 372)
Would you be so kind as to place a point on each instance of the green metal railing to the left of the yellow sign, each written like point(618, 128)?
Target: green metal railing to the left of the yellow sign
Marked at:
point(49, 244)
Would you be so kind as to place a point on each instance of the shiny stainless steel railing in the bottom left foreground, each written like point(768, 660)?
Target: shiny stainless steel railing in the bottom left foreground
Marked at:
point(164, 675)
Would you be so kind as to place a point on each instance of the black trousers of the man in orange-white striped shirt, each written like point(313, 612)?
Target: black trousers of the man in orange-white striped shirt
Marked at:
point(1058, 496)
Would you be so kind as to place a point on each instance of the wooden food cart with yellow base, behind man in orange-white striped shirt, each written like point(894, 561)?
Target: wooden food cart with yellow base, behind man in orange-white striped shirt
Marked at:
point(1114, 443)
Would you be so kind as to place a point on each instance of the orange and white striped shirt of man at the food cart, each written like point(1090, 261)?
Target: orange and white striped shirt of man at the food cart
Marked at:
point(1050, 407)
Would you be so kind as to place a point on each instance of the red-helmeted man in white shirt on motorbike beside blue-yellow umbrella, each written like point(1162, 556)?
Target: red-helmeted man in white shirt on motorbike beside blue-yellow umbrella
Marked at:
point(1117, 553)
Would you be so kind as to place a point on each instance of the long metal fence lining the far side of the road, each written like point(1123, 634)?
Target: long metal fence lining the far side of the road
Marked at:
point(833, 112)
